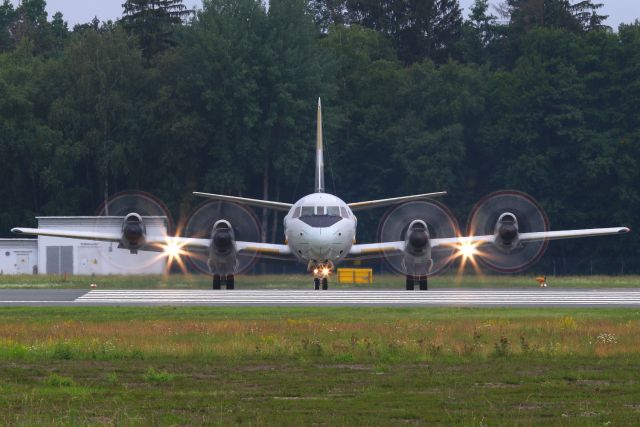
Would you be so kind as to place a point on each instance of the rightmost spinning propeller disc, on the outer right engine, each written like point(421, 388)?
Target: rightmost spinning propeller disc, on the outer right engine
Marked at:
point(506, 214)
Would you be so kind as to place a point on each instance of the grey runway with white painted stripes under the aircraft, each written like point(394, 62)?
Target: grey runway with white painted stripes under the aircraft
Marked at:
point(374, 298)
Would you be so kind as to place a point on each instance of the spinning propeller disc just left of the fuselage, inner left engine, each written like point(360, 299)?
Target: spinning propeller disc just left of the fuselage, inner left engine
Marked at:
point(246, 227)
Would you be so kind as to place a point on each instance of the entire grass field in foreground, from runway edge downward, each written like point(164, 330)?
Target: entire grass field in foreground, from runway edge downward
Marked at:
point(276, 366)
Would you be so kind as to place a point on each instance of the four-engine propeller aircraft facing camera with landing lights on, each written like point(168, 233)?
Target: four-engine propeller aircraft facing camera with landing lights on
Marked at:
point(418, 236)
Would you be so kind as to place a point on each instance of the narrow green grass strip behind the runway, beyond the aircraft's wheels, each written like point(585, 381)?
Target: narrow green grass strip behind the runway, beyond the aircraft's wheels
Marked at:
point(302, 281)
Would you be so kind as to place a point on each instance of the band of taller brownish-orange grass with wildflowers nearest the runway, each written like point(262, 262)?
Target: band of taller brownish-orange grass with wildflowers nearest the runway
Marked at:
point(346, 340)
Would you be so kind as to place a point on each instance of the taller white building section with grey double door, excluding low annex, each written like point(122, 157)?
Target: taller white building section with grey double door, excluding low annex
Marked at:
point(85, 257)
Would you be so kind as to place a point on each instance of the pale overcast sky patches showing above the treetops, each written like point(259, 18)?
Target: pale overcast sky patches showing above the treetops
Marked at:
point(81, 11)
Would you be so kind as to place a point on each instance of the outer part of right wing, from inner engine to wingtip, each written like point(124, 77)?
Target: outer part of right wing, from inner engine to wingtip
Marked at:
point(532, 237)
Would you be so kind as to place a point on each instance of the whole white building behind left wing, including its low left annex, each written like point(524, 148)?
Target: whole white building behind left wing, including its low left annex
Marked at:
point(57, 255)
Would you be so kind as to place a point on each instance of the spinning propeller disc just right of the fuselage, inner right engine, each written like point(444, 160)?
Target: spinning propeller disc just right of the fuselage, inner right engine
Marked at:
point(394, 226)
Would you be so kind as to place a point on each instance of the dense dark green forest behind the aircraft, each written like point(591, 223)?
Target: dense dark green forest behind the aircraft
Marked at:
point(536, 95)
